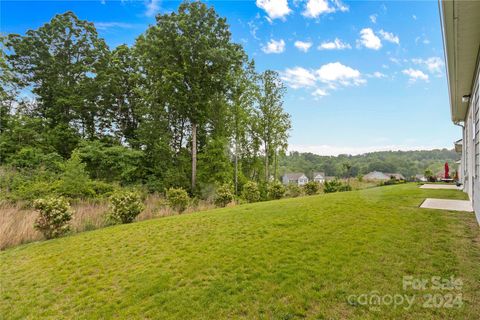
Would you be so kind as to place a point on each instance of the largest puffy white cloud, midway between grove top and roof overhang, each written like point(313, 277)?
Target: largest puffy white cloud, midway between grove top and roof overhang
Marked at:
point(337, 73)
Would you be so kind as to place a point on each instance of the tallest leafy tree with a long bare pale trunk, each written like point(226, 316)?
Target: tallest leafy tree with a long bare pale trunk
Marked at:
point(196, 58)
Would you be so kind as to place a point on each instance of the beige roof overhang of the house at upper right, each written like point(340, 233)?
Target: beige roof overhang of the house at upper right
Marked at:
point(461, 36)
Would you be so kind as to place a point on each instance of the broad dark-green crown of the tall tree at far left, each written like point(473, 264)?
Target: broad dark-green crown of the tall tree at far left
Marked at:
point(61, 61)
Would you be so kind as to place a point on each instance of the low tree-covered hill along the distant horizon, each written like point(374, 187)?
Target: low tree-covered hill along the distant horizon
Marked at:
point(407, 163)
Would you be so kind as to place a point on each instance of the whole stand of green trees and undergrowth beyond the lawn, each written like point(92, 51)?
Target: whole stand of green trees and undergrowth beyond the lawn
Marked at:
point(182, 107)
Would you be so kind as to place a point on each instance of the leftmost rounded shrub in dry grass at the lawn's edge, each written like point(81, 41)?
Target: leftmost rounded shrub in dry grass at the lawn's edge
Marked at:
point(54, 216)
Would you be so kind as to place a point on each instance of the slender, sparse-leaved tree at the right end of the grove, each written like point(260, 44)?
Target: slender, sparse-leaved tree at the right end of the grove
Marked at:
point(273, 121)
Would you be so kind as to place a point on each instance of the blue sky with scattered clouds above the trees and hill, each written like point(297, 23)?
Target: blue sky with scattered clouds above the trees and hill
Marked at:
point(361, 75)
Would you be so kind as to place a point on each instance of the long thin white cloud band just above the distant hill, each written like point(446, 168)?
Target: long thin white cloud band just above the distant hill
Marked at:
point(329, 150)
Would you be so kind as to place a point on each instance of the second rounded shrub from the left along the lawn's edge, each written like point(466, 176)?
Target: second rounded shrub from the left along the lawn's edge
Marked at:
point(125, 206)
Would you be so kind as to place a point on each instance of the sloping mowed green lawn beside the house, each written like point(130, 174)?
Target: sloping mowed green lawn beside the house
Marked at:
point(287, 259)
